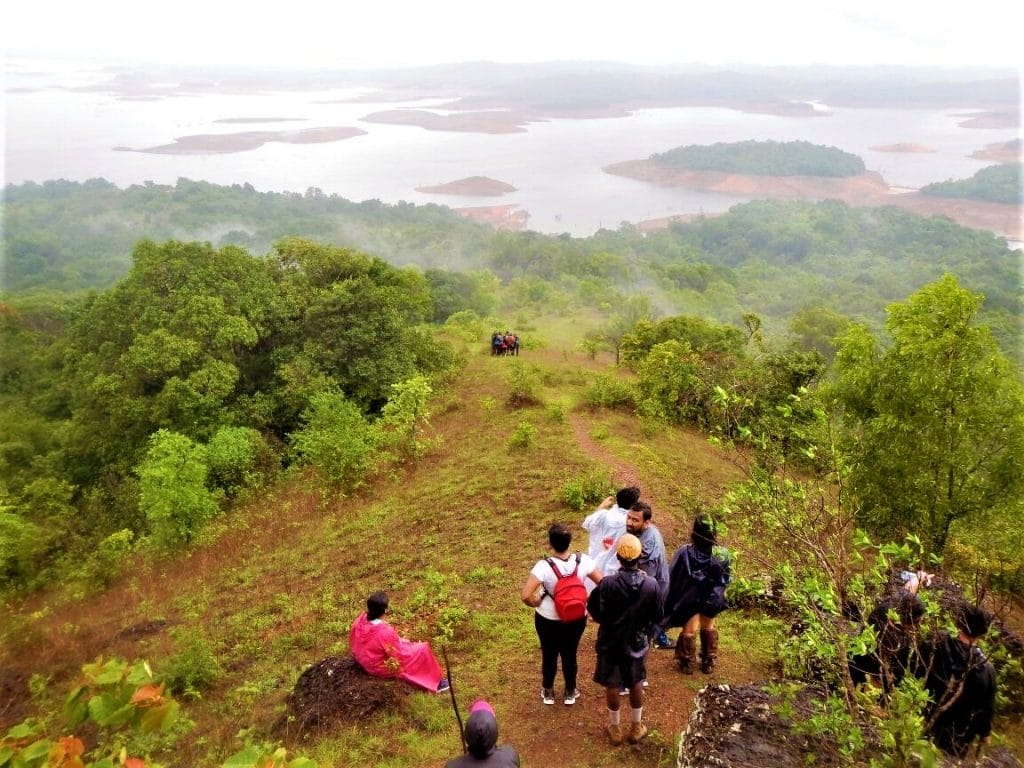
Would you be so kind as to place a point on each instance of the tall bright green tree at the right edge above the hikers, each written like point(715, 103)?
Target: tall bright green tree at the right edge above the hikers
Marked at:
point(936, 419)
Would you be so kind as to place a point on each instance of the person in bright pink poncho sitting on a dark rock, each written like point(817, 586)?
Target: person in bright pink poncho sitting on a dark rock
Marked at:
point(381, 653)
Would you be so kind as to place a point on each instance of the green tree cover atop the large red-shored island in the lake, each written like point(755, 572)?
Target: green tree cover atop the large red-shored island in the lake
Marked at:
point(764, 159)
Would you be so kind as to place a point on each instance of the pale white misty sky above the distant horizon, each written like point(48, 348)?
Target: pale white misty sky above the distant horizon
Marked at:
point(302, 33)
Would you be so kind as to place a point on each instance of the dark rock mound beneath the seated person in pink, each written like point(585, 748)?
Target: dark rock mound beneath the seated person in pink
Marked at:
point(335, 691)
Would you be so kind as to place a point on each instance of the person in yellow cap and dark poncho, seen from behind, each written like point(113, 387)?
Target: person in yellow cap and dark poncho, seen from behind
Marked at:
point(627, 607)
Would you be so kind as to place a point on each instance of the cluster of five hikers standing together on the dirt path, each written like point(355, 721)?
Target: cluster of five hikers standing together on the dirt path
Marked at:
point(627, 585)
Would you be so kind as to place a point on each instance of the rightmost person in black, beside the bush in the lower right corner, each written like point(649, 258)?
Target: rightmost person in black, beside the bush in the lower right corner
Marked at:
point(961, 684)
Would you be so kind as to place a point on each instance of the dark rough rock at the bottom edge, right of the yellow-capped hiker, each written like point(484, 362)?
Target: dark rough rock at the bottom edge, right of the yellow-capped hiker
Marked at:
point(737, 727)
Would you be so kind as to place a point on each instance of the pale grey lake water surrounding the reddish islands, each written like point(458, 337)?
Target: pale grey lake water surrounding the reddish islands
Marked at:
point(56, 132)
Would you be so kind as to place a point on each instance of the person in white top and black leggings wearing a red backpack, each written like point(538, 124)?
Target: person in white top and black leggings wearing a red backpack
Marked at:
point(557, 590)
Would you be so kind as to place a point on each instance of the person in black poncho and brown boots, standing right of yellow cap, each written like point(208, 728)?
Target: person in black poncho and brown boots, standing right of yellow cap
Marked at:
point(698, 579)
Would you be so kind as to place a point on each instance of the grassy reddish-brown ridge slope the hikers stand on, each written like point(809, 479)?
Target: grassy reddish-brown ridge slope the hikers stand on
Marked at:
point(452, 538)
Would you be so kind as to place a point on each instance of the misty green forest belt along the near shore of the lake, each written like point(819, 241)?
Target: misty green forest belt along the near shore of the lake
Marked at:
point(779, 260)
